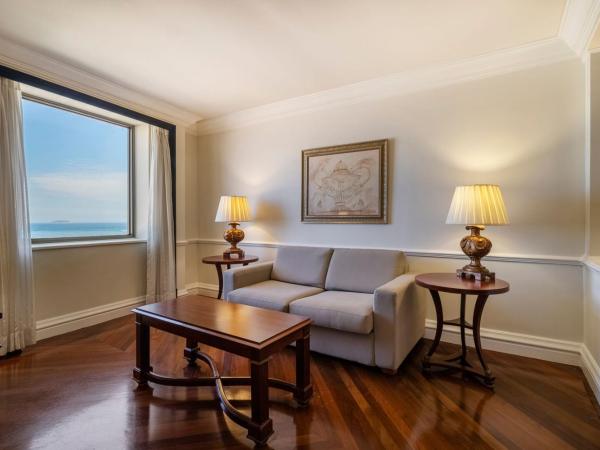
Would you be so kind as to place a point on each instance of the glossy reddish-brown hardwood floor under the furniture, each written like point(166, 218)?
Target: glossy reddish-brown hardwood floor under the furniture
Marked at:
point(75, 392)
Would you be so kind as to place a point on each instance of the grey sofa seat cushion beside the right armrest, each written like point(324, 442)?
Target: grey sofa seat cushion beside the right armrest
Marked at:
point(345, 311)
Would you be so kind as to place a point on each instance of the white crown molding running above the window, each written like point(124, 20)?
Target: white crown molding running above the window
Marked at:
point(35, 63)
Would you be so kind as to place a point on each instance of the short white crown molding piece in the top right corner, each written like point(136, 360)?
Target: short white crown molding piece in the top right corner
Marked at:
point(579, 23)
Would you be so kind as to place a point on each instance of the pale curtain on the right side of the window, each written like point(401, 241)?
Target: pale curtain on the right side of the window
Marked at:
point(161, 282)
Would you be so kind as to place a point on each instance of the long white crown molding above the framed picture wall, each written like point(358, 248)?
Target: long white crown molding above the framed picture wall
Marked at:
point(500, 62)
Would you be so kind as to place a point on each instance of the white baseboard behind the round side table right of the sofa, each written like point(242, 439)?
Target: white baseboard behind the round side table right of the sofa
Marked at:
point(555, 350)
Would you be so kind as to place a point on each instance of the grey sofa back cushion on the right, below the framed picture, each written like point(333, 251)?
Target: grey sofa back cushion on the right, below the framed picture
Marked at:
point(363, 270)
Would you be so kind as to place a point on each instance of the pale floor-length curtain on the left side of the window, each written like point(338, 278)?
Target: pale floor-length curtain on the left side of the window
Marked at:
point(17, 326)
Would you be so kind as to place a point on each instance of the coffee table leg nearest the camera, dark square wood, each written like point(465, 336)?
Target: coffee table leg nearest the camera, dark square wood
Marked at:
point(261, 426)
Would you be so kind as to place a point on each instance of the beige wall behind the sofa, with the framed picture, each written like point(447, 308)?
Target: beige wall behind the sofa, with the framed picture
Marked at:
point(524, 131)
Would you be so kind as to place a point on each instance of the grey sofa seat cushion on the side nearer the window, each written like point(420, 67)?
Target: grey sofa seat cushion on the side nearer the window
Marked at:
point(271, 294)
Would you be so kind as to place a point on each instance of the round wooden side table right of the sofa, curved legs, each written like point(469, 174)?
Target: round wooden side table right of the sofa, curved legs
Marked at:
point(449, 282)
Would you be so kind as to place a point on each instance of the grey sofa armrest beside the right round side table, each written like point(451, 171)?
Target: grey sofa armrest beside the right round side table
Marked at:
point(399, 320)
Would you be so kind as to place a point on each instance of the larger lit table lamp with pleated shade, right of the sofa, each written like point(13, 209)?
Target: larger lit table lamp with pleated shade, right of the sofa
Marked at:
point(476, 206)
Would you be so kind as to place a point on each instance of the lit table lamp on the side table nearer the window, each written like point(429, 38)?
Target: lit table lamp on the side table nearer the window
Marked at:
point(233, 209)
